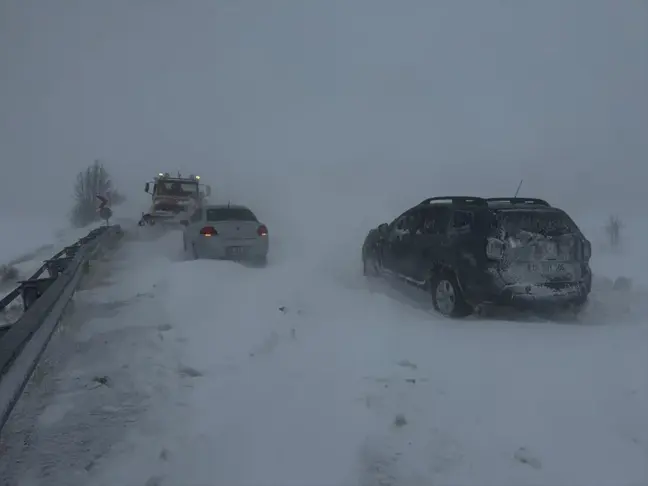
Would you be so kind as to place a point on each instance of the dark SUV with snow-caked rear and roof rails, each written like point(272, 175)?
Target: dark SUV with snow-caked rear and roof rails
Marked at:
point(470, 251)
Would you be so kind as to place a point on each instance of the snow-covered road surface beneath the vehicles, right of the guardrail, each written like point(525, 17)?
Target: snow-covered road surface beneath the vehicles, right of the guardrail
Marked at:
point(175, 372)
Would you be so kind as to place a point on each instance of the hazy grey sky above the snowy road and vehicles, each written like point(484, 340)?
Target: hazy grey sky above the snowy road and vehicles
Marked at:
point(391, 100)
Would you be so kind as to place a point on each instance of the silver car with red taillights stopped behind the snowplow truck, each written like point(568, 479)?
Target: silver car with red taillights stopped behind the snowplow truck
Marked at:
point(225, 231)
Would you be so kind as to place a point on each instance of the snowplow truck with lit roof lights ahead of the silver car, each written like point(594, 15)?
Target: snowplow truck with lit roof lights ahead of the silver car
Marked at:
point(173, 198)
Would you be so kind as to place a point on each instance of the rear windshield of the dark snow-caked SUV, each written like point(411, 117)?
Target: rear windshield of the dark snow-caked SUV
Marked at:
point(547, 223)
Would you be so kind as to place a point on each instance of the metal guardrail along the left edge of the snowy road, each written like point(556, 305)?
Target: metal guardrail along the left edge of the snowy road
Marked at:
point(44, 299)
